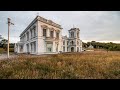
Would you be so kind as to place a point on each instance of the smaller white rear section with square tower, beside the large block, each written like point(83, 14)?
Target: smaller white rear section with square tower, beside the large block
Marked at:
point(73, 42)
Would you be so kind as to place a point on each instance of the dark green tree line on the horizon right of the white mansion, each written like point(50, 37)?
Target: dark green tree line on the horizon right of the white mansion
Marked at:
point(98, 45)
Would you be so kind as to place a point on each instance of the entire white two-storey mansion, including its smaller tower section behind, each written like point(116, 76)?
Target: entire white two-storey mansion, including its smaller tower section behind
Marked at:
point(43, 36)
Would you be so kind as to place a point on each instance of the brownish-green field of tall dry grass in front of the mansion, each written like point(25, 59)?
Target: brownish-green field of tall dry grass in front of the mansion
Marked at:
point(85, 65)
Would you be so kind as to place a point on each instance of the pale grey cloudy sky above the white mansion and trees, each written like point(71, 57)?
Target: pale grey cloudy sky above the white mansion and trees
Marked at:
point(102, 26)
